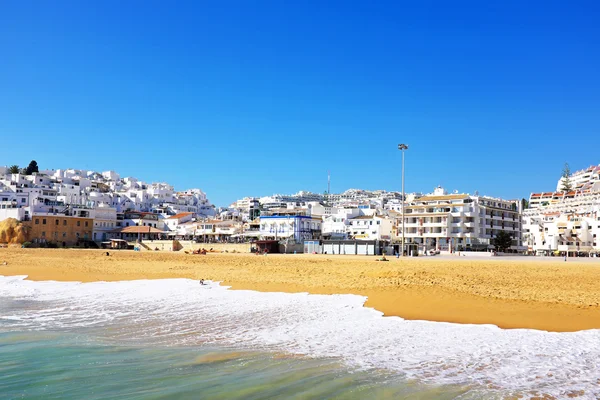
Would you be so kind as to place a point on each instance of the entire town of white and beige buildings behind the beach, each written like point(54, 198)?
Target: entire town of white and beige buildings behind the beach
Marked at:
point(70, 207)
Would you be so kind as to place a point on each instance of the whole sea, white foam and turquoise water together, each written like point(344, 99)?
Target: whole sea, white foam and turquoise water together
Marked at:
point(174, 338)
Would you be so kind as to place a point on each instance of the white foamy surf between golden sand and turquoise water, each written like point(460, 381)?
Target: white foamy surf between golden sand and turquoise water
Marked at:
point(180, 311)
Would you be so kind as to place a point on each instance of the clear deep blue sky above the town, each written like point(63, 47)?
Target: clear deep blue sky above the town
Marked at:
point(253, 98)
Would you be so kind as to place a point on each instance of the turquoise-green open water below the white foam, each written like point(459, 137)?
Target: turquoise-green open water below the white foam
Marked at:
point(70, 366)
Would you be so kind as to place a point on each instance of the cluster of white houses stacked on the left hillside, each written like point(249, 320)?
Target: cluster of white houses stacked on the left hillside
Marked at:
point(103, 196)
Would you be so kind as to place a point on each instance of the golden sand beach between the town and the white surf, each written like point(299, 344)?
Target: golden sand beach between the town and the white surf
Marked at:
point(541, 294)
